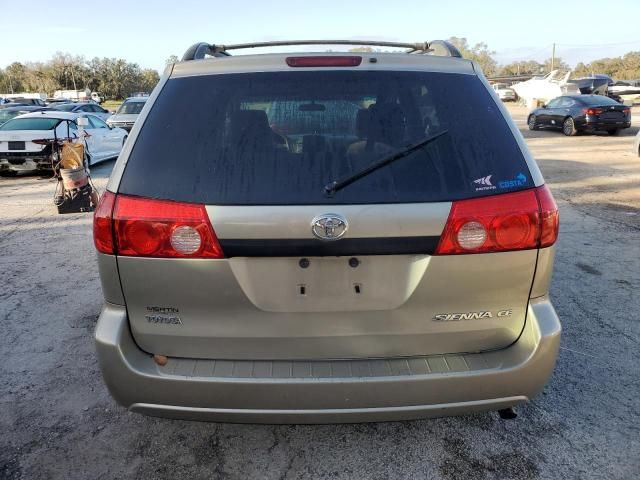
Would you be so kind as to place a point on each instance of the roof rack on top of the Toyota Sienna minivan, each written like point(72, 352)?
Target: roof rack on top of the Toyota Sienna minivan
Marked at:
point(443, 48)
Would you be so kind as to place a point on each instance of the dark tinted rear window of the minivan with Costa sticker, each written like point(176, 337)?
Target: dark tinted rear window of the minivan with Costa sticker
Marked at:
point(278, 138)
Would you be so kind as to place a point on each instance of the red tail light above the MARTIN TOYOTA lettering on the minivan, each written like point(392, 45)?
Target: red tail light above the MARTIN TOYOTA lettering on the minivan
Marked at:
point(143, 227)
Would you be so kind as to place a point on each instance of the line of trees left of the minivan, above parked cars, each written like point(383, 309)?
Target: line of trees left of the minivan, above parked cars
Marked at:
point(114, 78)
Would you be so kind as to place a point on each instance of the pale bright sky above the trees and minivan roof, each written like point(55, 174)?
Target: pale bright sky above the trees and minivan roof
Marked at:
point(148, 32)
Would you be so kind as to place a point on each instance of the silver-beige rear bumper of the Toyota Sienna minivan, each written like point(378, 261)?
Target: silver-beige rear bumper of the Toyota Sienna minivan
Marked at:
point(327, 391)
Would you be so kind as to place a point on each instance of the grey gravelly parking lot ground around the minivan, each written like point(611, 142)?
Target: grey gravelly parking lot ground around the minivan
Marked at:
point(59, 422)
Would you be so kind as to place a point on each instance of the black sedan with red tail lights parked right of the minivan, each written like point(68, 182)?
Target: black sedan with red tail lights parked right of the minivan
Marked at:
point(581, 113)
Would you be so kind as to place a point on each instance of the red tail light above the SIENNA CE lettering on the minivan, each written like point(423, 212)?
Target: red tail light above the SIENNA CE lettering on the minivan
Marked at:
point(514, 221)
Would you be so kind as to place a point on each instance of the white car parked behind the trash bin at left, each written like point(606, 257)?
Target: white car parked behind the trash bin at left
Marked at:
point(24, 139)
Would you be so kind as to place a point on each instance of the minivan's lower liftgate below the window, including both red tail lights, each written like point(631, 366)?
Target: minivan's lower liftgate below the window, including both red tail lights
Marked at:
point(233, 282)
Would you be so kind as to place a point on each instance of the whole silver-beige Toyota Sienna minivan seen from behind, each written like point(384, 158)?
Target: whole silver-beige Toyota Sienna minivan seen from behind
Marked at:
point(325, 237)
